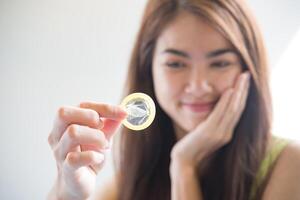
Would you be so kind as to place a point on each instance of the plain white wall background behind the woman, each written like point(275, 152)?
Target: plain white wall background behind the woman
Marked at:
point(61, 52)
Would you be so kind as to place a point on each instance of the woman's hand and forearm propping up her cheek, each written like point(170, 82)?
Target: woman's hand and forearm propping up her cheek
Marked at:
point(210, 135)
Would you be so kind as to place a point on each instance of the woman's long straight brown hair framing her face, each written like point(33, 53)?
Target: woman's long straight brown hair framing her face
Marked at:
point(143, 158)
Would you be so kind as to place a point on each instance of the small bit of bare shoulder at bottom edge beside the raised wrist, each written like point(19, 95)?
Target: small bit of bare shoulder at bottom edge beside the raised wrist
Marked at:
point(107, 190)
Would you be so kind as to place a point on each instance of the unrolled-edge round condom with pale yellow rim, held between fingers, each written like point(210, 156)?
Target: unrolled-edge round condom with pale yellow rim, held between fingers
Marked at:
point(140, 109)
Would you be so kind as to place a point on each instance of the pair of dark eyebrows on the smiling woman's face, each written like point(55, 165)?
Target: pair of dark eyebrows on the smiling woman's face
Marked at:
point(211, 54)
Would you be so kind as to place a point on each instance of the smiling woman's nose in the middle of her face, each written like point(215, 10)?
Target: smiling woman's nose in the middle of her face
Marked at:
point(198, 84)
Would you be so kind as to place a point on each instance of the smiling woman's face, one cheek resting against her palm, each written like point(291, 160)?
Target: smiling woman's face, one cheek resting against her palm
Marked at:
point(193, 65)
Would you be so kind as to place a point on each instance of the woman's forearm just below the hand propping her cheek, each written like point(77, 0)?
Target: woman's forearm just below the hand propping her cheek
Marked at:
point(184, 182)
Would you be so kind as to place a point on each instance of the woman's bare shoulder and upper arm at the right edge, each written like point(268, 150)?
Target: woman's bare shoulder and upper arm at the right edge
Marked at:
point(284, 182)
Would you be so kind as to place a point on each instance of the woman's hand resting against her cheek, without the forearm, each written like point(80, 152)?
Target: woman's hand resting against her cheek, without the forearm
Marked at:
point(217, 129)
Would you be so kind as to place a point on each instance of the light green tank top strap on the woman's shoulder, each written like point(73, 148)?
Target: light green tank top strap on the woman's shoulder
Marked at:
point(272, 154)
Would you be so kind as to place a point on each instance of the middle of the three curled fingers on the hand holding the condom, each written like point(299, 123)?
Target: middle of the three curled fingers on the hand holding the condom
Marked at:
point(76, 135)
